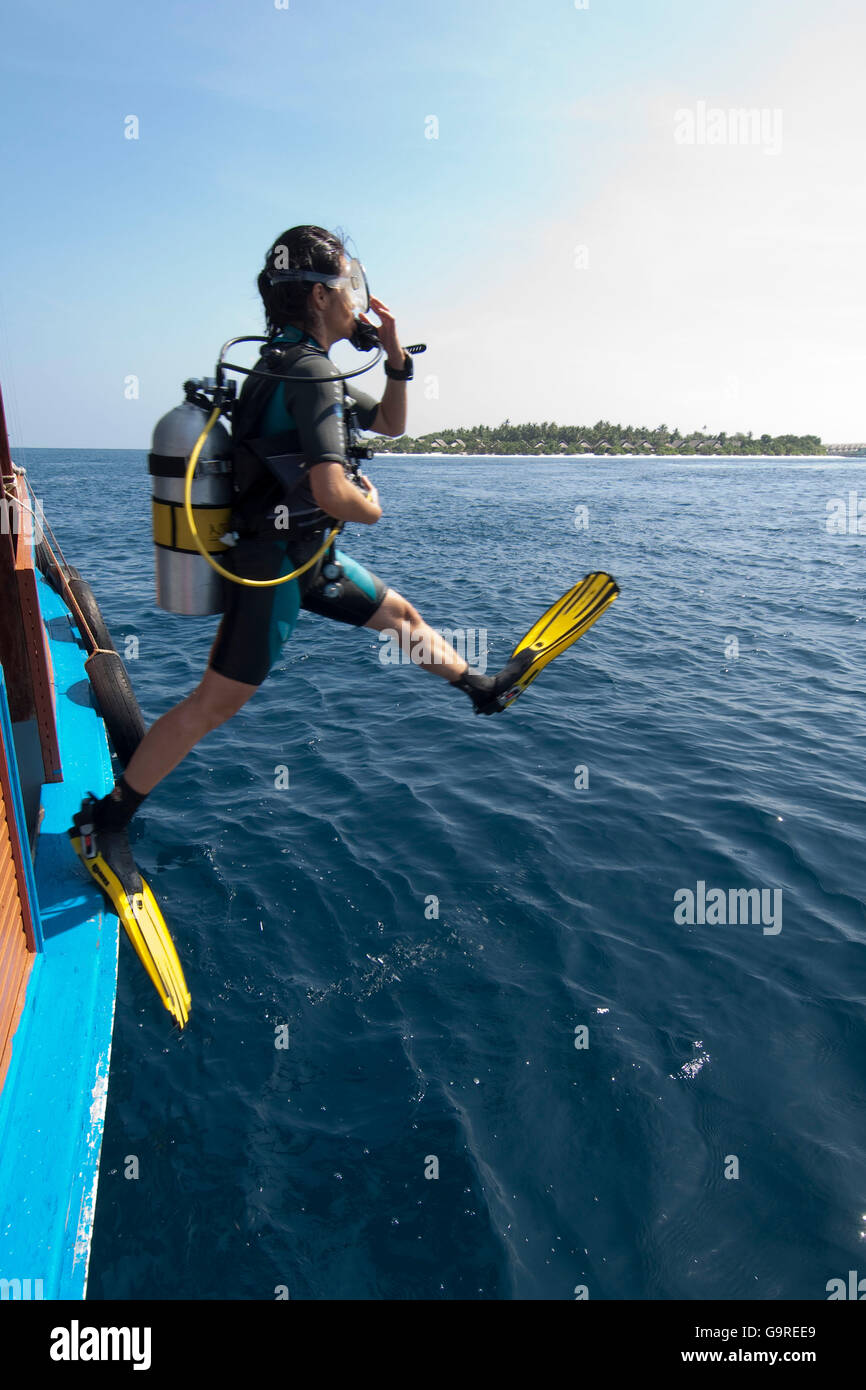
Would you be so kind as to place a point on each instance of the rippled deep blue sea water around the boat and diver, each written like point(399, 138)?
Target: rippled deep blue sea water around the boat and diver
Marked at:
point(455, 1038)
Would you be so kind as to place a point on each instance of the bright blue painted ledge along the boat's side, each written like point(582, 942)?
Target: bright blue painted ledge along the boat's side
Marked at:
point(54, 1103)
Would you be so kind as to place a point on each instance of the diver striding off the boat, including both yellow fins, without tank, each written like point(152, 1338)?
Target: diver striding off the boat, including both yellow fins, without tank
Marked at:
point(295, 480)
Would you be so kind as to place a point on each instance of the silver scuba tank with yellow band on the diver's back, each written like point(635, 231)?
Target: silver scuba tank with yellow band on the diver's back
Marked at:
point(186, 583)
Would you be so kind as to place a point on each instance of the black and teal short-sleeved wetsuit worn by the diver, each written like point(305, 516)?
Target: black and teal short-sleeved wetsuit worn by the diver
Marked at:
point(308, 419)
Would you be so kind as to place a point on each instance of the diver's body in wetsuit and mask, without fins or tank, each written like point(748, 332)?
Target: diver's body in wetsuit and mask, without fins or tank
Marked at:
point(309, 313)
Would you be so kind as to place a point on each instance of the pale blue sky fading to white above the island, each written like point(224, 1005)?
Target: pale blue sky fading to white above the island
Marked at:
point(558, 198)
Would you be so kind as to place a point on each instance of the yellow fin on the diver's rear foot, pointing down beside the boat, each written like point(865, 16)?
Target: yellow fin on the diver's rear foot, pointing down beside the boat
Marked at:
point(111, 864)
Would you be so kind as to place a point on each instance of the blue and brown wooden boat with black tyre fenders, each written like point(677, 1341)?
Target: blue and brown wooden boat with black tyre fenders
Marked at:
point(59, 938)
